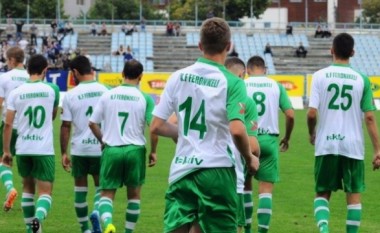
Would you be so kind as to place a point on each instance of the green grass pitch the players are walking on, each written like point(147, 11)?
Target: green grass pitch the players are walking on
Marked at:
point(293, 196)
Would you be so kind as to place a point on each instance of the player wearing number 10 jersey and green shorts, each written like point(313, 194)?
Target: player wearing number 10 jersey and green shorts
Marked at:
point(36, 104)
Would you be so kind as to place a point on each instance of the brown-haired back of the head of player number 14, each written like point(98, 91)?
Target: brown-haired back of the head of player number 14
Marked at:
point(215, 36)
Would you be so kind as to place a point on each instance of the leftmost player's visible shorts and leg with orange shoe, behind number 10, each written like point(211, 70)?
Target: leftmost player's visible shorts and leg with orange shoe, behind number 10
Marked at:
point(6, 174)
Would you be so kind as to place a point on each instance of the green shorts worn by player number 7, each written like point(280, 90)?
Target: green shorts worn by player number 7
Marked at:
point(122, 165)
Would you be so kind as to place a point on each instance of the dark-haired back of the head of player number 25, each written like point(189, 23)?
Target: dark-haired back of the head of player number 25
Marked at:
point(343, 46)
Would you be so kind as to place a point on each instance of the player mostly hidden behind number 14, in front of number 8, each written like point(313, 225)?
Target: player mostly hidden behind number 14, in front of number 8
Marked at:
point(244, 181)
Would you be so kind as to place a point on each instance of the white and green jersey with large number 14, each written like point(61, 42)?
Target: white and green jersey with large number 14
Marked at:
point(205, 97)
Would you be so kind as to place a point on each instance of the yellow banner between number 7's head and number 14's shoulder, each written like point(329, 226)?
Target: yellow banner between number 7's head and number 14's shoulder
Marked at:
point(154, 83)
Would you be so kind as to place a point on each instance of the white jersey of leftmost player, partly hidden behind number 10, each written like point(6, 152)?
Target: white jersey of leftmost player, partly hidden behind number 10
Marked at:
point(10, 81)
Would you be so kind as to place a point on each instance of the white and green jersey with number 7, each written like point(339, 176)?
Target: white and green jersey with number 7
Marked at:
point(123, 112)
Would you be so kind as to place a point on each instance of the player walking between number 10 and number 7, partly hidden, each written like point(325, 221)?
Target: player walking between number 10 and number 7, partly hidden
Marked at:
point(78, 105)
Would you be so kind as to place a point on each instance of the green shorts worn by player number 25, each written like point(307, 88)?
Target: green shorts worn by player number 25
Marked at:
point(333, 172)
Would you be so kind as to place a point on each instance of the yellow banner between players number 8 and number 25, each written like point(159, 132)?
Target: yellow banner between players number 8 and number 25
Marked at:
point(294, 84)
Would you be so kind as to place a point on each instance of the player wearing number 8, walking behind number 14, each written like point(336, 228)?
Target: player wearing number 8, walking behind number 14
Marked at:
point(269, 97)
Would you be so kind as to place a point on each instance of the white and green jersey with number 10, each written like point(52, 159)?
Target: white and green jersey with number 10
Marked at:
point(34, 103)
